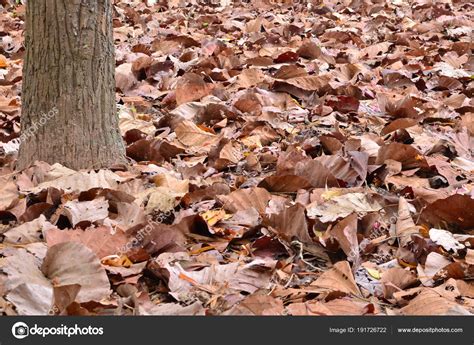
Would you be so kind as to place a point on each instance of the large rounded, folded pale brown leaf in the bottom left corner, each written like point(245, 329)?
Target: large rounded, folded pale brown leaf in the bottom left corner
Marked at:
point(31, 289)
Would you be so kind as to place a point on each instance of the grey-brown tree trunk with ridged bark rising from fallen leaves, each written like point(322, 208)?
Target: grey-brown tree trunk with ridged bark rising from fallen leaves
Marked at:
point(68, 99)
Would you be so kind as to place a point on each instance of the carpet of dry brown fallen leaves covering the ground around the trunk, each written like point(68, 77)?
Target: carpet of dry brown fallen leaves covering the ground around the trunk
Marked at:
point(305, 159)
